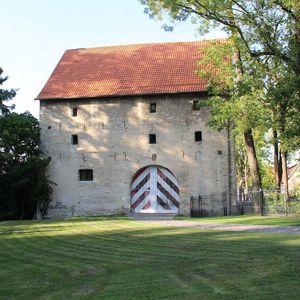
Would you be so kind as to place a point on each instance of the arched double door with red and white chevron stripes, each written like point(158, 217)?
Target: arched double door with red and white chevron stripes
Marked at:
point(155, 190)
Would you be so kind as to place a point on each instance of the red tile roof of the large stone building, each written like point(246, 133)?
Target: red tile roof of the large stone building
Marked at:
point(126, 70)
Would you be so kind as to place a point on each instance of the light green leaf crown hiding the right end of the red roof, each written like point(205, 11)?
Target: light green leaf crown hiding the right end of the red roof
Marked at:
point(239, 103)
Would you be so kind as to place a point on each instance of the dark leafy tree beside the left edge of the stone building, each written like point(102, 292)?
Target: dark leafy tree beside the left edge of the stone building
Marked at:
point(23, 181)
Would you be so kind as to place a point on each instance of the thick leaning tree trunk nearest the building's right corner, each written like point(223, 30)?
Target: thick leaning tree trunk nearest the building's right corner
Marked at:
point(254, 170)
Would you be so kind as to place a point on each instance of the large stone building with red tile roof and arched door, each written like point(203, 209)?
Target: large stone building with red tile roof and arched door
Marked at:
point(124, 131)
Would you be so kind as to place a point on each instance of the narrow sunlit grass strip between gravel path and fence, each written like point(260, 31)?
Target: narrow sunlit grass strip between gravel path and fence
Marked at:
point(246, 219)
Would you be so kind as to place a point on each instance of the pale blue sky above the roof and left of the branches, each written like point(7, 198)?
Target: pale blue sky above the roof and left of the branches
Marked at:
point(35, 34)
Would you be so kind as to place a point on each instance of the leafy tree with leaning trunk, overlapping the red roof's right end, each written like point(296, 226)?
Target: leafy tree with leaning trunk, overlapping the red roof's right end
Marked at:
point(236, 103)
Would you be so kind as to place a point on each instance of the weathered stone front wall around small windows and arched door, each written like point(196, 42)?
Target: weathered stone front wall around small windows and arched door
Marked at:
point(113, 141)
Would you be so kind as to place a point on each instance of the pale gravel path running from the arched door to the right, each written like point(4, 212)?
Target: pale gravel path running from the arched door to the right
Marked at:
point(228, 227)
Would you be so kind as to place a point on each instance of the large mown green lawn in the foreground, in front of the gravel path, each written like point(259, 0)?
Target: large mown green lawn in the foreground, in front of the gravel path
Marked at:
point(116, 258)
